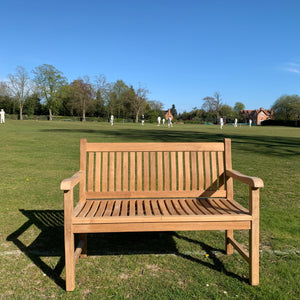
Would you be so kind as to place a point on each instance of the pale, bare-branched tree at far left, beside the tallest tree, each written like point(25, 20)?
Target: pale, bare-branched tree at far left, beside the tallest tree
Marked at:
point(20, 87)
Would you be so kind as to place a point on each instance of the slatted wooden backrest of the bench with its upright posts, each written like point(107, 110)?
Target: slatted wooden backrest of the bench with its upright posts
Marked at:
point(133, 170)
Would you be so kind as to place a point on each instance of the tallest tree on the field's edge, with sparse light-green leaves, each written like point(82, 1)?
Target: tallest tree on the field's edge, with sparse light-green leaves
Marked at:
point(49, 80)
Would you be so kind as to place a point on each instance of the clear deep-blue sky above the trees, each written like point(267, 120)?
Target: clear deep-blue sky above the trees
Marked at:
point(181, 51)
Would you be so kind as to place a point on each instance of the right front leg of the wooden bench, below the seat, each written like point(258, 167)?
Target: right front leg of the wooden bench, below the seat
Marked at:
point(254, 254)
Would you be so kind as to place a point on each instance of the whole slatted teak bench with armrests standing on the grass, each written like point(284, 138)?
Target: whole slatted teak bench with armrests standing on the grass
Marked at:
point(138, 187)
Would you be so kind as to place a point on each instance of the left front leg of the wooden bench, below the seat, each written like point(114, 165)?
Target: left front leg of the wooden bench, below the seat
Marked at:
point(69, 261)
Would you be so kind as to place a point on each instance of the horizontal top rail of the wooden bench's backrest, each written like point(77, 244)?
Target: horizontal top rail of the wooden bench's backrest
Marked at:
point(153, 147)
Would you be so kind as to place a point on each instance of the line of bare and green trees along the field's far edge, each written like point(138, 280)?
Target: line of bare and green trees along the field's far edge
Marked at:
point(46, 91)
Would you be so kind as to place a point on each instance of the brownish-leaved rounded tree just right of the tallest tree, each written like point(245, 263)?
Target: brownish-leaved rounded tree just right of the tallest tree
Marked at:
point(83, 94)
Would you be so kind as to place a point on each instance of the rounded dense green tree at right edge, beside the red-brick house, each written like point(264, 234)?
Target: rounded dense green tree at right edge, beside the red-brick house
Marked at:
point(287, 107)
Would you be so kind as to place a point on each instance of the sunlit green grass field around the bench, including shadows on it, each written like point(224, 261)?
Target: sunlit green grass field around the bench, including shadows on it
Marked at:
point(35, 156)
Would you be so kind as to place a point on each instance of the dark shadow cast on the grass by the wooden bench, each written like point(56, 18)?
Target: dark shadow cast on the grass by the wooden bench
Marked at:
point(50, 243)
